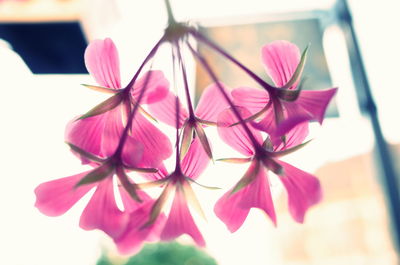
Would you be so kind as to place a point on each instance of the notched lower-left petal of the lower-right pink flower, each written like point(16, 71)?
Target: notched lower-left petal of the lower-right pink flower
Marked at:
point(233, 209)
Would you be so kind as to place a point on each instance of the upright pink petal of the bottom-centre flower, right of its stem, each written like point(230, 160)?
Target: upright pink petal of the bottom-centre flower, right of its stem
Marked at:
point(195, 160)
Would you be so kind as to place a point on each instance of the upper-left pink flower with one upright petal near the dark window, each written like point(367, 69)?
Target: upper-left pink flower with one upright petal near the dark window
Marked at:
point(100, 134)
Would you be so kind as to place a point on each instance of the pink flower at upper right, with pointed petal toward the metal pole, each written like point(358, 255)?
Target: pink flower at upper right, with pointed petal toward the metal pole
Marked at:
point(281, 59)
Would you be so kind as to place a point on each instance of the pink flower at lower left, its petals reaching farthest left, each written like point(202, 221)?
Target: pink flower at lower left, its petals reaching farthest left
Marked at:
point(55, 197)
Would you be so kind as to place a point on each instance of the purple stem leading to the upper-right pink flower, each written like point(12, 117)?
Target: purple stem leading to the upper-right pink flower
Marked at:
point(202, 38)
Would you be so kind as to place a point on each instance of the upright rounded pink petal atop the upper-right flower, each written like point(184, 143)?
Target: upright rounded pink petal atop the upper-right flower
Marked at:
point(281, 59)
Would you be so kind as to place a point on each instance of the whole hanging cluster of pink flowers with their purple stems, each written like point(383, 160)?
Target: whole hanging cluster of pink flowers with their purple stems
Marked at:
point(120, 141)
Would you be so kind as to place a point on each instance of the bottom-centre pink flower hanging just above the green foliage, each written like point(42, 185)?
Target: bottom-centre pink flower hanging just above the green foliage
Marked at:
point(179, 220)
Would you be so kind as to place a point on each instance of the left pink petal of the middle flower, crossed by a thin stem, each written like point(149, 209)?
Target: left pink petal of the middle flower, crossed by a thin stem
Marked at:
point(164, 111)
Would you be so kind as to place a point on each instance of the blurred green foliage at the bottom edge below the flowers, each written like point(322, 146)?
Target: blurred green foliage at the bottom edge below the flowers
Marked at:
point(166, 254)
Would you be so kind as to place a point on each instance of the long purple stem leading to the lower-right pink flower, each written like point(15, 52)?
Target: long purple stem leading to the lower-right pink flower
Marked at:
point(207, 67)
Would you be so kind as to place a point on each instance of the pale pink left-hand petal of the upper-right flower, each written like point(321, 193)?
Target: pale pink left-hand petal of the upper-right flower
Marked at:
point(251, 98)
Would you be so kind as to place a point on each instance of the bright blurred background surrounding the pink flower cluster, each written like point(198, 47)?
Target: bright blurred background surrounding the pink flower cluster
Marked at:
point(355, 154)
